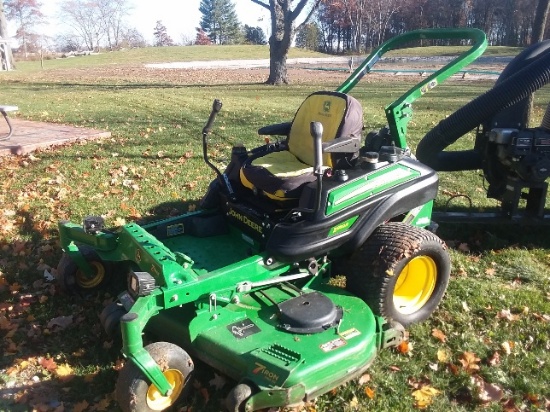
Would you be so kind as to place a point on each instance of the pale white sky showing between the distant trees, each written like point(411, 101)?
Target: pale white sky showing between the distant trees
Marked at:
point(180, 17)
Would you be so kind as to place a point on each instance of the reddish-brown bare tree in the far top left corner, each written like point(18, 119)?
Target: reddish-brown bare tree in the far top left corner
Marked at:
point(26, 14)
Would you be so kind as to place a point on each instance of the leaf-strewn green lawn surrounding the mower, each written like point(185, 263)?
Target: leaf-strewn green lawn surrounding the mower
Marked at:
point(485, 348)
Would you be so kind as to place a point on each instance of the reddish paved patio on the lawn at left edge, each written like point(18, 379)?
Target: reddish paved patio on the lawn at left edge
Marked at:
point(28, 136)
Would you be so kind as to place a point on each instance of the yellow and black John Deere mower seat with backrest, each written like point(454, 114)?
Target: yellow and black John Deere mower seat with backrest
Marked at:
point(280, 175)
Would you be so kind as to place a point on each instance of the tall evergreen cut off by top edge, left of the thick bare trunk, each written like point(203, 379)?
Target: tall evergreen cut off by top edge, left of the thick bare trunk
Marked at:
point(219, 20)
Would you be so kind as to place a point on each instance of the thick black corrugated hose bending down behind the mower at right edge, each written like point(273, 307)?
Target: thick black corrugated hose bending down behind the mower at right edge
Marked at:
point(512, 90)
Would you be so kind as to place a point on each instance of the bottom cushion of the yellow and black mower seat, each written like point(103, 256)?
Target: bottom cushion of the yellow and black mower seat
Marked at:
point(278, 175)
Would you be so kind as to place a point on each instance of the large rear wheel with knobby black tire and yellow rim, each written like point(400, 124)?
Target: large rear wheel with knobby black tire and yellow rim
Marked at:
point(401, 272)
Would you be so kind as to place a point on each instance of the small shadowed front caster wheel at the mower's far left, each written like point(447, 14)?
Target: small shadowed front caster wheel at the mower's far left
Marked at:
point(73, 280)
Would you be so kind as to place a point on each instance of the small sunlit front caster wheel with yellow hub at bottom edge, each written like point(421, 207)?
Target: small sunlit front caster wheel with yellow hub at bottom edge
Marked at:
point(132, 386)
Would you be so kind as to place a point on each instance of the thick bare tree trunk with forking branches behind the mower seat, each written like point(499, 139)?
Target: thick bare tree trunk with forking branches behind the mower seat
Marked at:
point(283, 18)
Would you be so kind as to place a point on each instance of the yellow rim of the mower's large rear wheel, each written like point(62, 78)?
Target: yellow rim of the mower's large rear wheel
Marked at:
point(415, 285)
